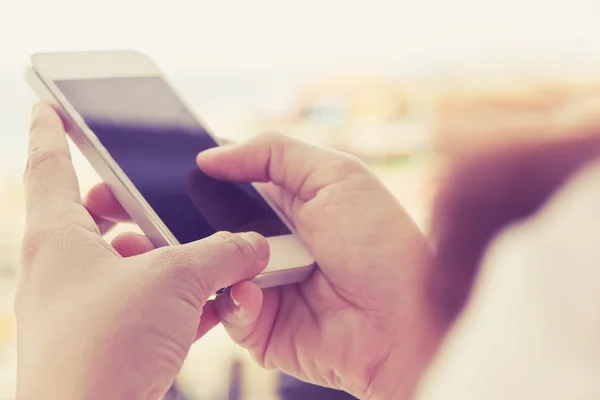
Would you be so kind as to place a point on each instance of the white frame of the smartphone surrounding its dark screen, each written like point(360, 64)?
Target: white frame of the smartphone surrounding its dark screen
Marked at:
point(288, 253)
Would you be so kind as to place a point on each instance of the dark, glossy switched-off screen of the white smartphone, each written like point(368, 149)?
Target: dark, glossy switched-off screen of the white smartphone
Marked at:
point(154, 138)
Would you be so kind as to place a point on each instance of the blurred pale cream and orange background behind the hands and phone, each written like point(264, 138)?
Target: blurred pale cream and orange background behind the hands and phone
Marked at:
point(399, 83)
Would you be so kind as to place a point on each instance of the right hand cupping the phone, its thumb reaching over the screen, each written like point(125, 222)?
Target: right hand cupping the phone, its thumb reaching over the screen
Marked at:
point(362, 321)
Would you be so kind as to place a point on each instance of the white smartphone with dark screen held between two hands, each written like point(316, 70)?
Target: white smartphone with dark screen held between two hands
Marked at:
point(142, 139)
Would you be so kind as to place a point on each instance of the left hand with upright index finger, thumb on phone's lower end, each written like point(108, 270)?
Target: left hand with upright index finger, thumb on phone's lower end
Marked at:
point(97, 321)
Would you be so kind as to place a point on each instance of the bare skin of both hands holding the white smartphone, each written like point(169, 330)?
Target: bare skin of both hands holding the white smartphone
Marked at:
point(300, 329)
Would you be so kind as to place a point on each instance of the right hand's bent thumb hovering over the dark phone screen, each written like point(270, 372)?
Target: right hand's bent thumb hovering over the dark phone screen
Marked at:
point(298, 167)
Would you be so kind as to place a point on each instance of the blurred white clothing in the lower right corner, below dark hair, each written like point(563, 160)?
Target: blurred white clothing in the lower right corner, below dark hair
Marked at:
point(531, 329)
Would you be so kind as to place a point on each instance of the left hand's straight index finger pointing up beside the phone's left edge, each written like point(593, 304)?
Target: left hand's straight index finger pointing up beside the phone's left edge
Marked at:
point(50, 179)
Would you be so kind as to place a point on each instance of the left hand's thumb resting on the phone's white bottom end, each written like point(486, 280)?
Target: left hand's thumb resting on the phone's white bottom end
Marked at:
point(197, 270)
